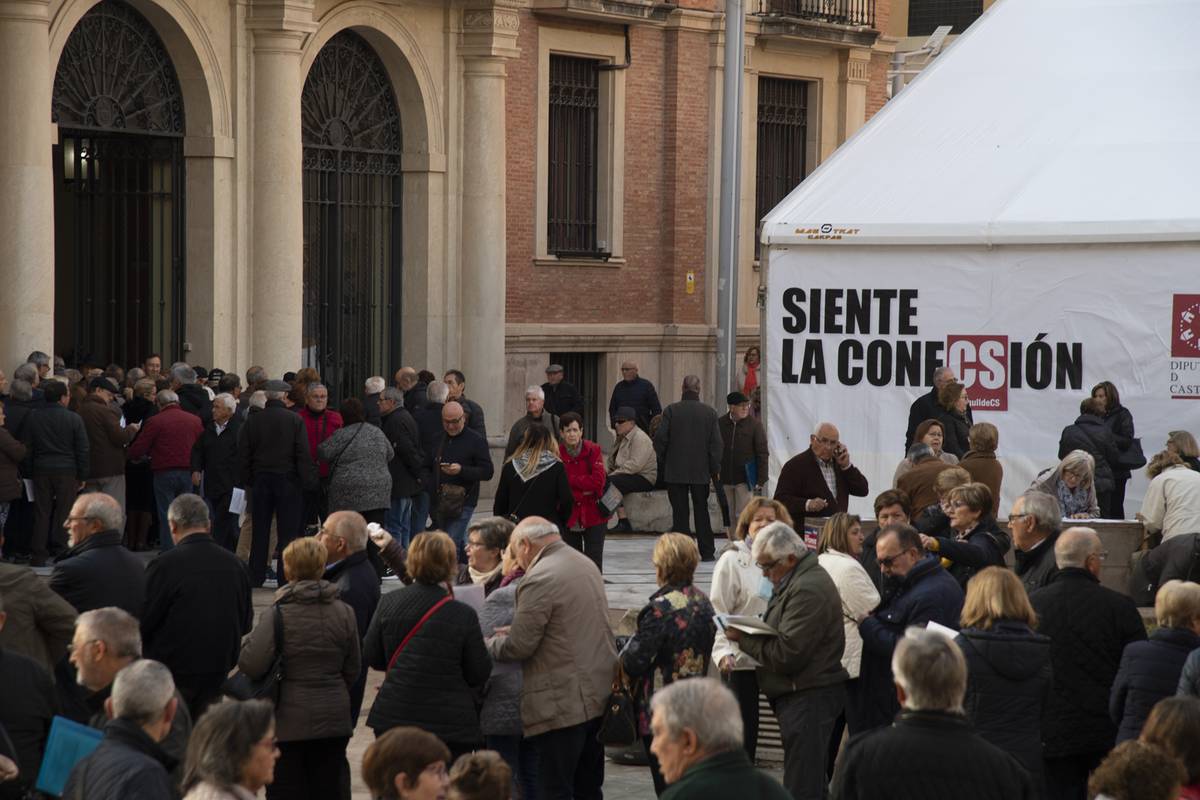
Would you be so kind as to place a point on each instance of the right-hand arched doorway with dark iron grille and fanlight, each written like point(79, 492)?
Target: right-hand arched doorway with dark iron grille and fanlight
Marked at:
point(352, 216)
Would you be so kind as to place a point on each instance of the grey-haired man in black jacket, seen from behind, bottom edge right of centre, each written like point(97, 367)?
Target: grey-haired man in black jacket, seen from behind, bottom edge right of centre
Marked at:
point(932, 750)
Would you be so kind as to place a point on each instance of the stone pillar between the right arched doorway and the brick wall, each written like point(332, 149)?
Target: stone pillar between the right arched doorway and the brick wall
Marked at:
point(489, 39)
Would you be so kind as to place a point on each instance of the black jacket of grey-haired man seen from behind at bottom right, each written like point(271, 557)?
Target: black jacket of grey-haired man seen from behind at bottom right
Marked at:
point(929, 756)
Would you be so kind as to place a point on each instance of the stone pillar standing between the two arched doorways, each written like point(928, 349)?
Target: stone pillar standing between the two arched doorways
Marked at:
point(277, 190)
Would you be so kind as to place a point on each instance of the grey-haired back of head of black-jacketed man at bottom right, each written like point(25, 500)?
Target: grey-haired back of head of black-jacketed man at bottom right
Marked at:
point(931, 670)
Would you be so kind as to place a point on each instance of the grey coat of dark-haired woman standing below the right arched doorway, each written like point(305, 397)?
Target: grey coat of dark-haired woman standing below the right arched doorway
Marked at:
point(359, 480)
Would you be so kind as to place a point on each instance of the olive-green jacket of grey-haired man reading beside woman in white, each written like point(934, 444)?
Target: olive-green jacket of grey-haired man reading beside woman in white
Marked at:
point(807, 654)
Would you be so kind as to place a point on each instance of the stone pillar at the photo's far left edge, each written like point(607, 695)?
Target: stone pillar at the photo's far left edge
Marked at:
point(27, 184)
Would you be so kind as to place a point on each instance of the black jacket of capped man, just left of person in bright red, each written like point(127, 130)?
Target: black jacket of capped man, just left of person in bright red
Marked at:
point(277, 442)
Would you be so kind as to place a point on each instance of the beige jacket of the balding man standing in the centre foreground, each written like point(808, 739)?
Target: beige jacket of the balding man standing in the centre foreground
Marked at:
point(562, 639)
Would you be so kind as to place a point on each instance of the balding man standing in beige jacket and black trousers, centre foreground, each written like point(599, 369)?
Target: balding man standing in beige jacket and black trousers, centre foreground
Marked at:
point(562, 639)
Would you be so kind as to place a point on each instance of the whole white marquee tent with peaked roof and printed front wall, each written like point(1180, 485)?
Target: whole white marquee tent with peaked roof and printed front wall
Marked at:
point(1028, 209)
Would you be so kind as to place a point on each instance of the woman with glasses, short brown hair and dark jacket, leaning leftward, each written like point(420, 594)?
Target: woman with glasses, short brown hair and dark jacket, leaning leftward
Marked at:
point(976, 542)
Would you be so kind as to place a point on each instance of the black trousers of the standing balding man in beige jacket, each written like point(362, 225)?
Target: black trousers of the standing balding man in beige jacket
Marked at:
point(571, 763)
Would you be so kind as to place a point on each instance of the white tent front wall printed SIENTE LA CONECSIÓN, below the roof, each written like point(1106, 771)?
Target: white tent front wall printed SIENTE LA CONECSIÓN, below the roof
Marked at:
point(855, 334)
